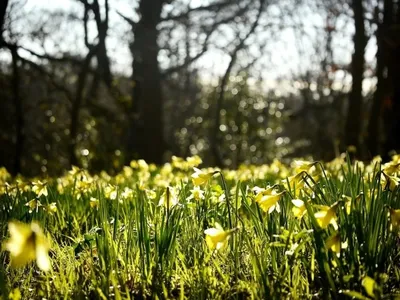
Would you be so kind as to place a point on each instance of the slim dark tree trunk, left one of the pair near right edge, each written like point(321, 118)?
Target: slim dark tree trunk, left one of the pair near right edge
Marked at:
point(354, 116)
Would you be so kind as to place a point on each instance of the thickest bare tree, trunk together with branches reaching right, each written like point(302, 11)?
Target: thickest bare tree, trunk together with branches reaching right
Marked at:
point(145, 136)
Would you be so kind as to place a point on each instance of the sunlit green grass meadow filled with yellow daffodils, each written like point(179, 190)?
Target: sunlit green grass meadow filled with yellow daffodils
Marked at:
point(141, 233)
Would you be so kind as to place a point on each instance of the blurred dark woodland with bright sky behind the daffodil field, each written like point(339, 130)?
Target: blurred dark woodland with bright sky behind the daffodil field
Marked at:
point(97, 83)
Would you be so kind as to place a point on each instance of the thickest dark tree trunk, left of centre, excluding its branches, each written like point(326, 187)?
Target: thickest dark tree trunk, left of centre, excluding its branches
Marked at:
point(146, 117)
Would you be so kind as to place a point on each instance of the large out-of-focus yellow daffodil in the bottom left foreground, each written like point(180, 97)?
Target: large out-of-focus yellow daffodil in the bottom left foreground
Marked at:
point(27, 243)
